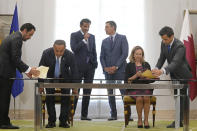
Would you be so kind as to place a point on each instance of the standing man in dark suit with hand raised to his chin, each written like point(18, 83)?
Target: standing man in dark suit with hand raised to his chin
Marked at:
point(84, 48)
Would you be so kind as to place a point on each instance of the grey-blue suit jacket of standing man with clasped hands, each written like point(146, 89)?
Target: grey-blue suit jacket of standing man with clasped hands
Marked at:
point(115, 55)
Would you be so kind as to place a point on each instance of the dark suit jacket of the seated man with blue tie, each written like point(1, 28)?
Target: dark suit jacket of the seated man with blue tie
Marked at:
point(68, 65)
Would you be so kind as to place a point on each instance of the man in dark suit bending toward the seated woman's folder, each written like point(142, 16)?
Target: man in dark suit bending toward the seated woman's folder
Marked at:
point(173, 50)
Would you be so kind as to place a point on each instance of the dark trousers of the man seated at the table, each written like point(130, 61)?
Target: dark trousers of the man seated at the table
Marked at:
point(65, 105)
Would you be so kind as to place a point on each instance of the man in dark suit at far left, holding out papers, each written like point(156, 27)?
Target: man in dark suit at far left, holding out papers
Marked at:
point(10, 60)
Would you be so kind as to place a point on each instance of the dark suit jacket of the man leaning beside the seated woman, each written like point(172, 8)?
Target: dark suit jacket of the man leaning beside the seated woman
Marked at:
point(178, 66)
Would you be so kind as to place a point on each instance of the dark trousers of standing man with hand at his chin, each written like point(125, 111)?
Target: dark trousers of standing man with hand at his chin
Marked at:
point(88, 76)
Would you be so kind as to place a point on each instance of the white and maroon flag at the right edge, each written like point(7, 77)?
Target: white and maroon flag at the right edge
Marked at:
point(187, 38)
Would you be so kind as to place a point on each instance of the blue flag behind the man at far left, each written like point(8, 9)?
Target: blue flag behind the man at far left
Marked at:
point(18, 85)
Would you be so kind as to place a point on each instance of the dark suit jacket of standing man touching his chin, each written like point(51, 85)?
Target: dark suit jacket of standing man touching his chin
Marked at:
point(81, 50)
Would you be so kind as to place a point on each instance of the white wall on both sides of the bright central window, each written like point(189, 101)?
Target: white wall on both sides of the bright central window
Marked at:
point(41, 13)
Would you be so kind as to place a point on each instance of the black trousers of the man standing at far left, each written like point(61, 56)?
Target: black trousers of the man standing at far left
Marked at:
point(5, 94)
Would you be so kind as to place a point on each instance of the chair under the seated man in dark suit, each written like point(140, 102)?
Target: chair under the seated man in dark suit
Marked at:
point(58, 101)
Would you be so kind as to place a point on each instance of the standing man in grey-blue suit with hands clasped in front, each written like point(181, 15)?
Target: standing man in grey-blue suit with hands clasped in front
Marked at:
point(114, 51)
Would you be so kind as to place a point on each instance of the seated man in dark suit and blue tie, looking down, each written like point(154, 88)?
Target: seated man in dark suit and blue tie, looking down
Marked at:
point(61, 64)
